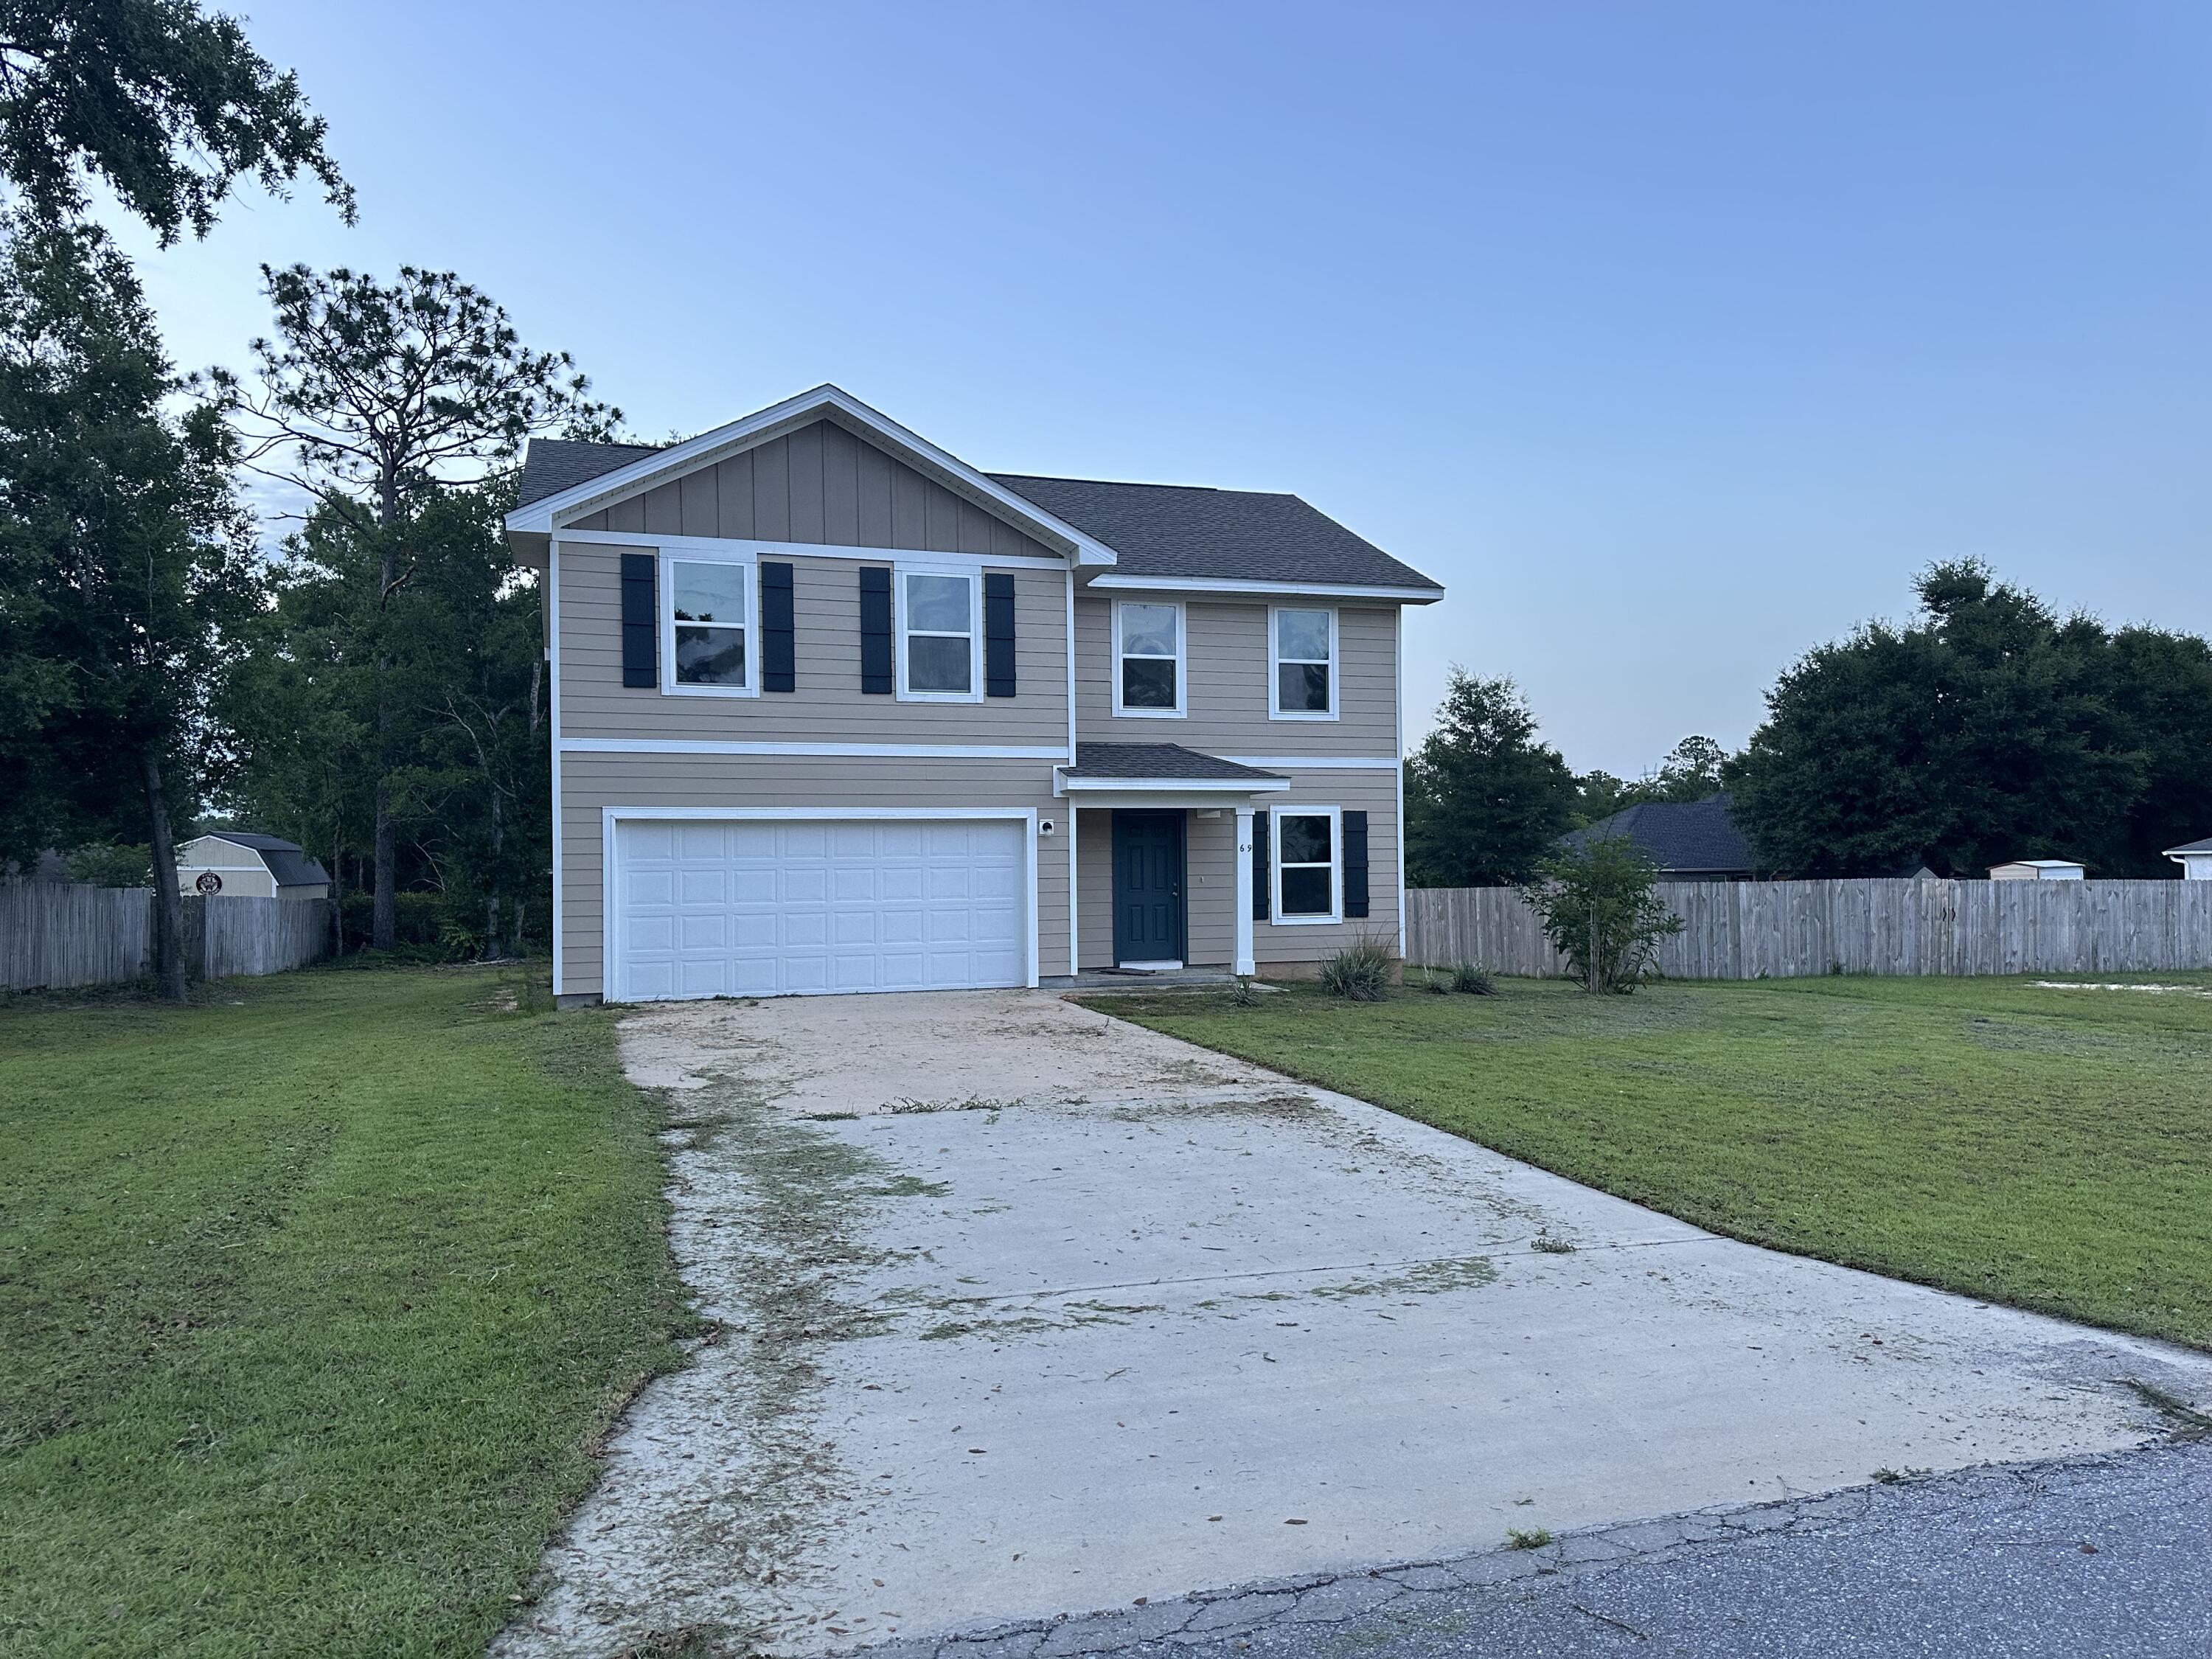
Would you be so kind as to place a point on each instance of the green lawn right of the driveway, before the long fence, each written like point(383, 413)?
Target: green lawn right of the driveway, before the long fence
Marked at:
point(2045, 1149)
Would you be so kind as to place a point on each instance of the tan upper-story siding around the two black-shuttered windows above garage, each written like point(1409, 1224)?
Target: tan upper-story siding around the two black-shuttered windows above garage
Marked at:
point(828, 705)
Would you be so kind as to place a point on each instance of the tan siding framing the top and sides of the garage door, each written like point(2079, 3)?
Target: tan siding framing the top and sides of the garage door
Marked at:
point(598, 782)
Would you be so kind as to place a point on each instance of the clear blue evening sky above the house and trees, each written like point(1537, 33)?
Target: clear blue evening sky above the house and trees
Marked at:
point(1673, 337)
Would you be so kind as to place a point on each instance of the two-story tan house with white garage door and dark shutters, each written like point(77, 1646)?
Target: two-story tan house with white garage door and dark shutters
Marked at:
point(833, 711)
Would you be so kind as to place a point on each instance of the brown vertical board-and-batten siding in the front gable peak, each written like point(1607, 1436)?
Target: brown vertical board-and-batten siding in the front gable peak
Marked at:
point(817, 486)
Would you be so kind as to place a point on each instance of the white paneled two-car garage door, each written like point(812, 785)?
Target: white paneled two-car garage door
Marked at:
point(778, 908)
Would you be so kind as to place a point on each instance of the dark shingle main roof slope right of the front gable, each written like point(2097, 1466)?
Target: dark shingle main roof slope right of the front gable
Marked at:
point(1231, 534)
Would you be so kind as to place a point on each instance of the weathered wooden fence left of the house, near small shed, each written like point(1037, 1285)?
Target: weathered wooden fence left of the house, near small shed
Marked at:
point(56, 935)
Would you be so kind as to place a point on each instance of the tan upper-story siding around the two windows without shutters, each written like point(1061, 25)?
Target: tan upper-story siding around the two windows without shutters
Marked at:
point(1231, 685)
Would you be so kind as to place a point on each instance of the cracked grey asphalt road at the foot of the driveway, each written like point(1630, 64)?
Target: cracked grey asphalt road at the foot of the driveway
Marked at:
point(2089, 1556)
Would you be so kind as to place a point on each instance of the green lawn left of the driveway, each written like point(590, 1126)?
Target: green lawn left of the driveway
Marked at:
point(313, 1302)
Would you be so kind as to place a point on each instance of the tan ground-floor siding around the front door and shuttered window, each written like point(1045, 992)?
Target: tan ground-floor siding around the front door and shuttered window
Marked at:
point(1211, 879)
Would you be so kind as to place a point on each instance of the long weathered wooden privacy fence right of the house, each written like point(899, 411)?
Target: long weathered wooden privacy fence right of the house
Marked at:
point(1786, 930)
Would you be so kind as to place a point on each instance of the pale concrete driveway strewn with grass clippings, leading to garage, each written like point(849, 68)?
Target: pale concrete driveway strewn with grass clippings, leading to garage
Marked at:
point(1027, 1313)
